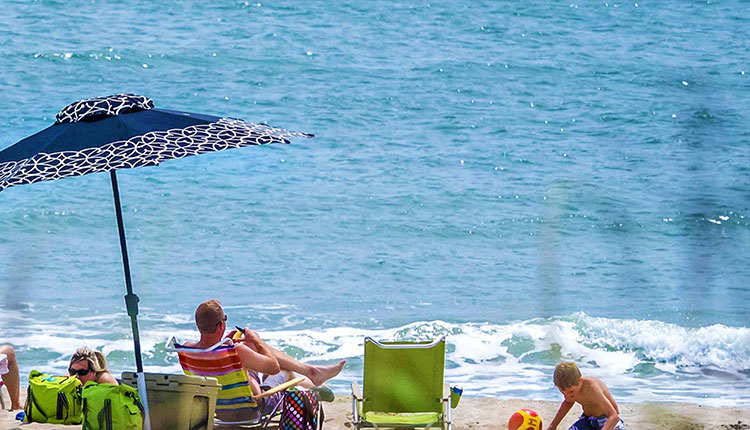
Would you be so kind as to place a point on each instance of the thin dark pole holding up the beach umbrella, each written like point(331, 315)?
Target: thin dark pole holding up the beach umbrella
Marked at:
point(131, 303)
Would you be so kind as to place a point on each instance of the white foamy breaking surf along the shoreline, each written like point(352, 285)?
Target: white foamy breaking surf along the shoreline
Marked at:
point(639, 359)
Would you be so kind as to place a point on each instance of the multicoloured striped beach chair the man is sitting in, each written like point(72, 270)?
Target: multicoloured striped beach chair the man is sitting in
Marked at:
point(235, 403)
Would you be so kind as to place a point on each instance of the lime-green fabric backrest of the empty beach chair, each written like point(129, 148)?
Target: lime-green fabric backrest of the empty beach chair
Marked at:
point(403, 376)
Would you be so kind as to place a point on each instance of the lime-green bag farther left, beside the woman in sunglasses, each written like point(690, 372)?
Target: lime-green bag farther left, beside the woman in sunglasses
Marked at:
point(53, 399)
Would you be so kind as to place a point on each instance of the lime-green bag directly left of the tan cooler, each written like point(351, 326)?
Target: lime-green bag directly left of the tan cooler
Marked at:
point(111, 407)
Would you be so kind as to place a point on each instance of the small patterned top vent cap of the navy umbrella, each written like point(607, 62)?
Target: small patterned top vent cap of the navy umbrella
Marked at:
point(116, 104)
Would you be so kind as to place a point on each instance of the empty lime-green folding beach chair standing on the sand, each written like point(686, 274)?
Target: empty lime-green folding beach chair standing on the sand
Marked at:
point(403, 386)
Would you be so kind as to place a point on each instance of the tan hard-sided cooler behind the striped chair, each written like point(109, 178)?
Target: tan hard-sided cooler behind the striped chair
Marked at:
point(178, 402)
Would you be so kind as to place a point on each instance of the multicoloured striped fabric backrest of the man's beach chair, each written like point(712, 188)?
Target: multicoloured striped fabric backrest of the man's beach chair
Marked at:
point(223, 363)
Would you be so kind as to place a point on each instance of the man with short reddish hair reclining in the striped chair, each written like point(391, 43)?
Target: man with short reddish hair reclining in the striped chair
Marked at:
point(257, 356)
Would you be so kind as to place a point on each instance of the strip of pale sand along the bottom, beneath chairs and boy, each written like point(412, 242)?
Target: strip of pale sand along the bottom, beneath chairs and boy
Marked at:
point(492, 414)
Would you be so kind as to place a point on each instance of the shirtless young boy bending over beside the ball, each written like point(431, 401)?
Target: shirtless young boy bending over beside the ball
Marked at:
point(600, 410)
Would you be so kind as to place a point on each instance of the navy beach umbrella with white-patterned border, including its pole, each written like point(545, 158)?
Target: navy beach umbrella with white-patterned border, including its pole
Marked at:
point(123, 131)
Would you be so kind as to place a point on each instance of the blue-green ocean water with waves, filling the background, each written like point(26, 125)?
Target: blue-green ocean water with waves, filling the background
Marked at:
point(535, 180)
